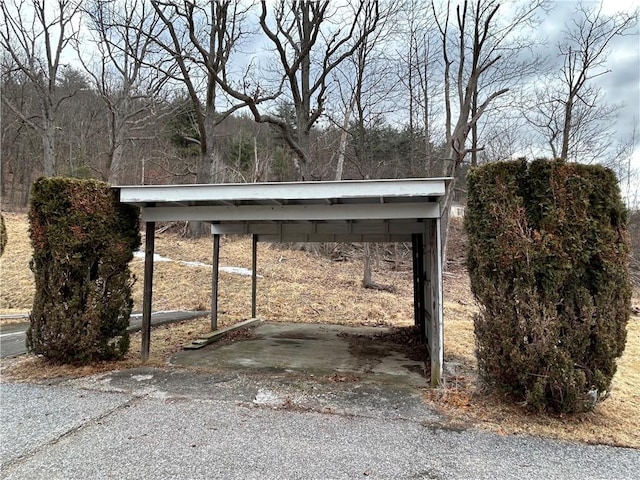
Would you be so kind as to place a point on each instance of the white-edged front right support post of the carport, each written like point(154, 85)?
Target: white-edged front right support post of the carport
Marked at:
point(436, 340)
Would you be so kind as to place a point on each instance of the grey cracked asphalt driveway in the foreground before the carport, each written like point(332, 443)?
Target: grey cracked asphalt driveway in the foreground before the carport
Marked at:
point(178, 424)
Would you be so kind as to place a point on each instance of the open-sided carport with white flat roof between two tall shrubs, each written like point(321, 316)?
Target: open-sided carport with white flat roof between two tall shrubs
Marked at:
point(407, 210)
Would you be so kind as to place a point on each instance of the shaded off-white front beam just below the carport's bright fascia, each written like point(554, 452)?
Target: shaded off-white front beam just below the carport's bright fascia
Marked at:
point(292, 212)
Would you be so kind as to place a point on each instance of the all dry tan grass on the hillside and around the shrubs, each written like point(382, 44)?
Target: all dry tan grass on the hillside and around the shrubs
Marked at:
point(303, 287)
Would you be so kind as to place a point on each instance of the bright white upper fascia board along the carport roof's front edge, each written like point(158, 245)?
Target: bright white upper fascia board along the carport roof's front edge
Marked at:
point(267, 192)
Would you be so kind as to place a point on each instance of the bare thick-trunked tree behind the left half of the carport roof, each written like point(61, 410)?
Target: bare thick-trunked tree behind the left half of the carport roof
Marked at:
point(200, 39)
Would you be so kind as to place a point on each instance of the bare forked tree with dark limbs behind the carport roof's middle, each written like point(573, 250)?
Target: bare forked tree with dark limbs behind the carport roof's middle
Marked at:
point(300, 32)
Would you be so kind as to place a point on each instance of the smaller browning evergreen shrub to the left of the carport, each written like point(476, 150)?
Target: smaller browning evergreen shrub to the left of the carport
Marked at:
point(83, 240)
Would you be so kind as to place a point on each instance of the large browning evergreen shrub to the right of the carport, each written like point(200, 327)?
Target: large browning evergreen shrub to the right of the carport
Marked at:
point(548, 260)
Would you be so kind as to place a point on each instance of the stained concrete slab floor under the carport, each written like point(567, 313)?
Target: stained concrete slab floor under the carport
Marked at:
point(365, 354)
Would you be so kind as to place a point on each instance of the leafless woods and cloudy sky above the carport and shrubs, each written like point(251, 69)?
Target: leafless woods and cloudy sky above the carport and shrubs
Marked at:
point(150, 91)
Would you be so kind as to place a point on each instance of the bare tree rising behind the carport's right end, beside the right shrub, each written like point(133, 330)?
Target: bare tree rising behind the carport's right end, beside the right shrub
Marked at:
point(472, 54)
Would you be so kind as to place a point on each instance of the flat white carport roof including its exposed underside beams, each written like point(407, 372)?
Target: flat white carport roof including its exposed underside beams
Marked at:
point(350, 210)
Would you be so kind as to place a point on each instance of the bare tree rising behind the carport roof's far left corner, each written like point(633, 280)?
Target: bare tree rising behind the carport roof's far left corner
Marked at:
point(128, 87)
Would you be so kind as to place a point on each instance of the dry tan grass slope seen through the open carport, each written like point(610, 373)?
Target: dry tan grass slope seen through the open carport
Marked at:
point(294, 285)
